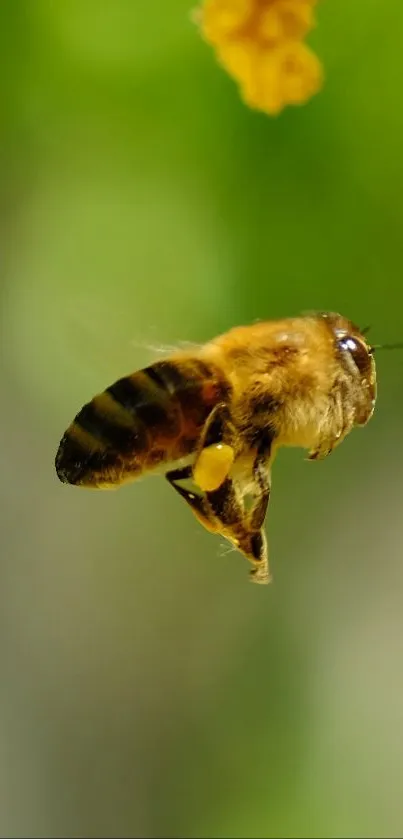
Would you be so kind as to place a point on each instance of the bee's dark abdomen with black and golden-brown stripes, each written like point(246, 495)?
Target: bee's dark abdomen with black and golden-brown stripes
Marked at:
point(142, 421)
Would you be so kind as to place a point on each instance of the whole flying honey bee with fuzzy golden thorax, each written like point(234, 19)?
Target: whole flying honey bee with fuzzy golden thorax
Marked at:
point(212, 419)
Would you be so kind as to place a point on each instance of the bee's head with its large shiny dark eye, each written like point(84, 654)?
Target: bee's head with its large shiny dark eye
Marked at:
point(356, 357)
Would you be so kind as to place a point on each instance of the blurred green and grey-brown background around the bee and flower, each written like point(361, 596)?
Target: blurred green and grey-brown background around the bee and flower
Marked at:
point(146, 687)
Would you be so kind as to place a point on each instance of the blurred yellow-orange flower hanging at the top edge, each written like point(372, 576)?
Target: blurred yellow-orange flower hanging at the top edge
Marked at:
point(260, 44)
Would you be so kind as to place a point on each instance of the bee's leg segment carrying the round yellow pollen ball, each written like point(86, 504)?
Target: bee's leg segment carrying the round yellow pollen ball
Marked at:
point(215, 452)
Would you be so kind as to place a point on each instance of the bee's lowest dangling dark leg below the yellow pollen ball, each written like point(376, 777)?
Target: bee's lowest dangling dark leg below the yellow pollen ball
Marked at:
point(228, 509)
